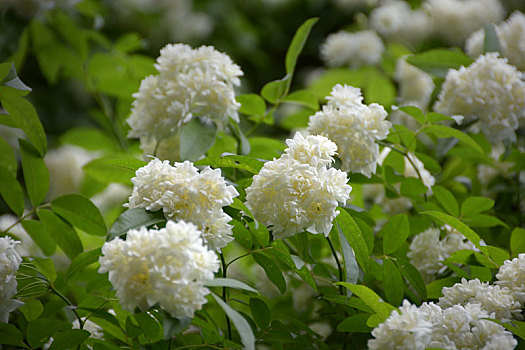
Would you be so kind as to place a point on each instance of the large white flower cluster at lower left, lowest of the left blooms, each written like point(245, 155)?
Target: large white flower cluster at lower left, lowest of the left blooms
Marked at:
point(167, 266)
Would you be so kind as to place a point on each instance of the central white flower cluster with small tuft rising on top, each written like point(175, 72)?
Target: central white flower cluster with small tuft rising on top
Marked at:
point(299, 191)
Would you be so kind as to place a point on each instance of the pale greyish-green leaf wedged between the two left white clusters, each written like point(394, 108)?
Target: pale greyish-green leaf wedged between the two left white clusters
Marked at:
point(134, 218)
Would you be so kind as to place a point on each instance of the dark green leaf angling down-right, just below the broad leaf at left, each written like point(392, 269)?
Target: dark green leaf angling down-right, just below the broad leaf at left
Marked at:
point(64, 235)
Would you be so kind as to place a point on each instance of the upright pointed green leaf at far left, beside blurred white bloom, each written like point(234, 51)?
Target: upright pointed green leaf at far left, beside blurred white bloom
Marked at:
point(36, 175)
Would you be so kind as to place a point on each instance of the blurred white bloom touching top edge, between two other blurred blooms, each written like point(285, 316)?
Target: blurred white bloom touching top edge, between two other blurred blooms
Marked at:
point(395, 20)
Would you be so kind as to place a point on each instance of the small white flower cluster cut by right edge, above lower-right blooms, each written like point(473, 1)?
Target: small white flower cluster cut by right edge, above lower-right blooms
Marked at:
point(512, 276)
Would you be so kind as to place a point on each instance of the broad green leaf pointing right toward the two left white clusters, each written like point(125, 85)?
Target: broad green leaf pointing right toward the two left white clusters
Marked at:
point(80, 212)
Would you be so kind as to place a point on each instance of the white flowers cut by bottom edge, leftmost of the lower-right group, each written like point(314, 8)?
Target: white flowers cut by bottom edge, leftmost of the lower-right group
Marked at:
point(407, 329)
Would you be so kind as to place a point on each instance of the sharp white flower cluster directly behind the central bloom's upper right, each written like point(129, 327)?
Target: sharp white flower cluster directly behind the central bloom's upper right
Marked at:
point(353, 126)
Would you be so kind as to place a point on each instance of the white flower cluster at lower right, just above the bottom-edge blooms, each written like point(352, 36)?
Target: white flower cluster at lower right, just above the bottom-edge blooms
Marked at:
point(493, 299)
